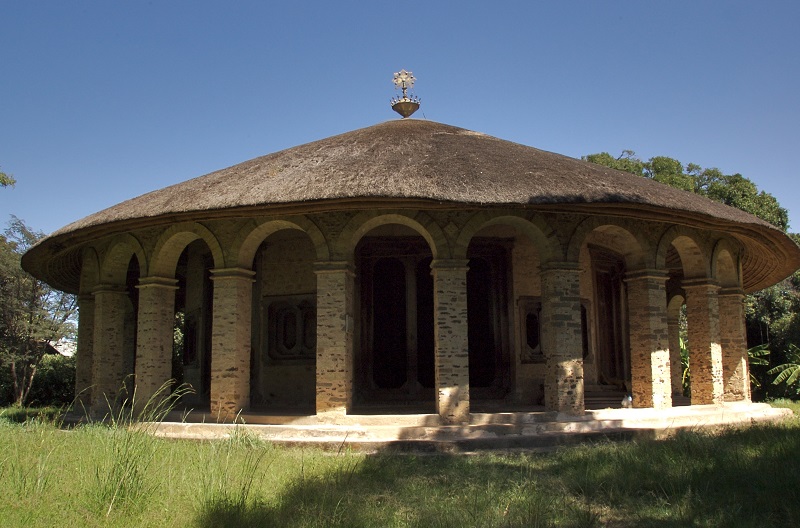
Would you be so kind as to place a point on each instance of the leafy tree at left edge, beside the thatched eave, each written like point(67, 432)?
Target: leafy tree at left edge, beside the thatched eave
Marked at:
point(33, 315)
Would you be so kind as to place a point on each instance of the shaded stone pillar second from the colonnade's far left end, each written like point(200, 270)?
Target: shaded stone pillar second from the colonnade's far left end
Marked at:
point(108, 362)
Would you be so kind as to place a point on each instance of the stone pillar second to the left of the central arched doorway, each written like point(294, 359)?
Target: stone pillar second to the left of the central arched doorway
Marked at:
point(230, 342)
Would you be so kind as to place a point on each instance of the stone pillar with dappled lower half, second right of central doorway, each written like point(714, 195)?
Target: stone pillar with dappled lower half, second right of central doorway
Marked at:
point(562, 343)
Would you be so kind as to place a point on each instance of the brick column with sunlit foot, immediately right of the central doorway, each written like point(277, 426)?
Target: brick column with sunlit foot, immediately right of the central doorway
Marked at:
point(451, 345)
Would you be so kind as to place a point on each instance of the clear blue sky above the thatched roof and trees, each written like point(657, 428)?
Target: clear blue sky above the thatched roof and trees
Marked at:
point(103, 101)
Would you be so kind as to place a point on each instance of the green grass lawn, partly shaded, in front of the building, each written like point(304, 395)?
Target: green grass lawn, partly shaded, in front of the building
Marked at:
point(52, 477)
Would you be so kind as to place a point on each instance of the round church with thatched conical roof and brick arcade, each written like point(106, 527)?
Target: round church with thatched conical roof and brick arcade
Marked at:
point(413, 267)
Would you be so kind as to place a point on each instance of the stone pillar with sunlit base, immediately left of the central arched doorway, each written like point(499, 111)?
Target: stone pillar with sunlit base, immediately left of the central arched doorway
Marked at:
point(335, 283)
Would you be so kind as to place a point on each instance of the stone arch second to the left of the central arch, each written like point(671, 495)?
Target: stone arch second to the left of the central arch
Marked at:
point(174, 240)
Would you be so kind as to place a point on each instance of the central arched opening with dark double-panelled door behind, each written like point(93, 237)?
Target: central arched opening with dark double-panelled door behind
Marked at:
point(394, 352)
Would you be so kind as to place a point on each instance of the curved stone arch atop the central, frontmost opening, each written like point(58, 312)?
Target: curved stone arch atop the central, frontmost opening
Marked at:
point(364, 223)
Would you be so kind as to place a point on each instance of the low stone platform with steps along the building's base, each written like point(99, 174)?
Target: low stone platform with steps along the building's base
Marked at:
point(486, 431)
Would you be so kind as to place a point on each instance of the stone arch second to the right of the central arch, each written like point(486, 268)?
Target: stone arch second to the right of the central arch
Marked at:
point(632, 247)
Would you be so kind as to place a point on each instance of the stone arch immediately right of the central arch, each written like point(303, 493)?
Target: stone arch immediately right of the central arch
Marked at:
point(536, 229)
